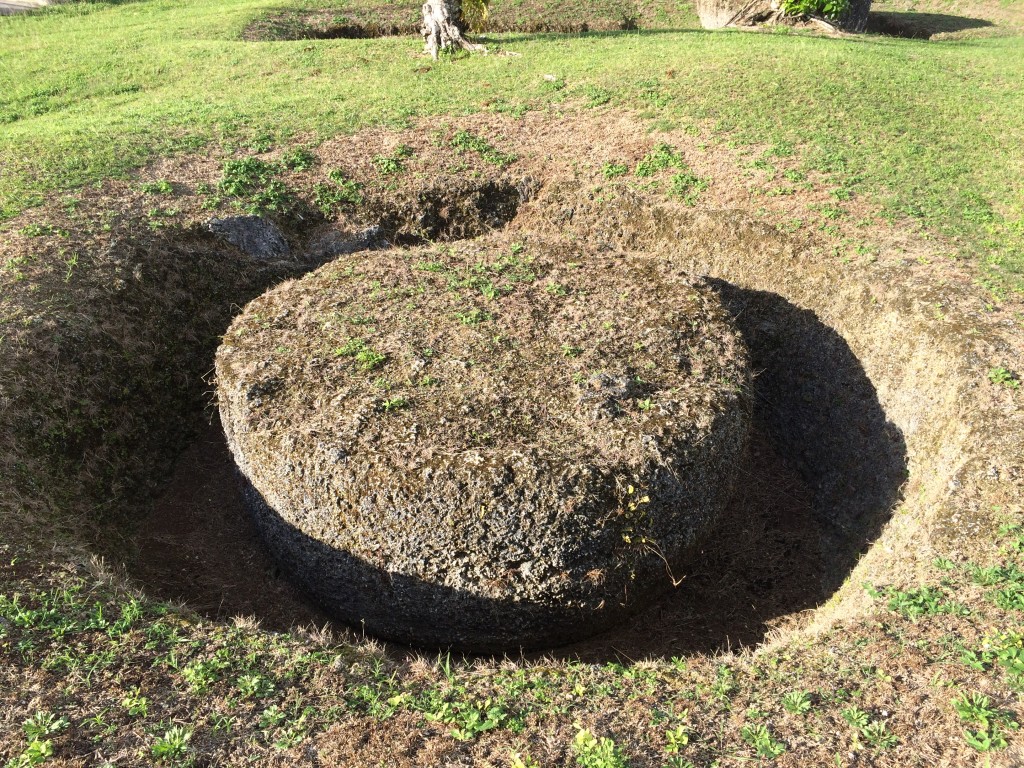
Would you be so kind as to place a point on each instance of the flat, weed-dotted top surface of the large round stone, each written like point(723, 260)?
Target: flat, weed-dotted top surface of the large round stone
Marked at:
point(485, 348)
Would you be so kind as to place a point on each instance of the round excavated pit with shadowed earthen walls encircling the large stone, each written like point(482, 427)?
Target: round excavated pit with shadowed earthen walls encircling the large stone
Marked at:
point(860, 412)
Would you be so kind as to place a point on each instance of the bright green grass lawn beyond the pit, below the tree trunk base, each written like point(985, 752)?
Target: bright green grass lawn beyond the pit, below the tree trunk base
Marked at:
point(924, 130)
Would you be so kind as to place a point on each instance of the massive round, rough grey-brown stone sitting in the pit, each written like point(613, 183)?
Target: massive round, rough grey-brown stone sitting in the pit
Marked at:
point(488, 446)
